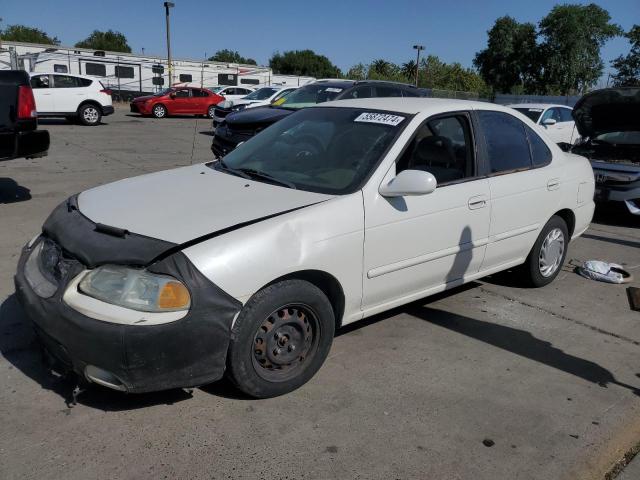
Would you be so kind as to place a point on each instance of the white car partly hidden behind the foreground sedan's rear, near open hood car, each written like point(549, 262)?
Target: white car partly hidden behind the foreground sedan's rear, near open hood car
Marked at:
point(556, 120)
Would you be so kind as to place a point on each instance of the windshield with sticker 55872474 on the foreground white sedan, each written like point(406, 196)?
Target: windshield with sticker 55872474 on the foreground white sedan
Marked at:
point(326, 150)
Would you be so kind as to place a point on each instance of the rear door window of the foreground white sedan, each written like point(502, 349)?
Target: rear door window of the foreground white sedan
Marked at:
point(506, 141)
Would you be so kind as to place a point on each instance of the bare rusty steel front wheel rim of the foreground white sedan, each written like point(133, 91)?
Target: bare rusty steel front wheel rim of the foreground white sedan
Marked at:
point(285, 342)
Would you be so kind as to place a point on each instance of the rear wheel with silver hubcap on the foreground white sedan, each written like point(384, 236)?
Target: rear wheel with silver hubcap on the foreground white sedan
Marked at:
point(548, 254)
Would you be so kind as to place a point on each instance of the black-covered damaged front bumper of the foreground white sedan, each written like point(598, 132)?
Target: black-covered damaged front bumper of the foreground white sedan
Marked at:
point(187, 352)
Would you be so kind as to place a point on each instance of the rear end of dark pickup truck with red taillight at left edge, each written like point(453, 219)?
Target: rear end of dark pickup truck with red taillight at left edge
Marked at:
point(19, 134)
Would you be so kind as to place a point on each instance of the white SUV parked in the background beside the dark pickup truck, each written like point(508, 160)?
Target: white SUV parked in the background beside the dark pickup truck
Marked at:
point(71, 96)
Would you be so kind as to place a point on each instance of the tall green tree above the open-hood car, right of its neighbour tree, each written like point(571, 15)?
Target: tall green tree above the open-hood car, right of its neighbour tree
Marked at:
point(572, 36)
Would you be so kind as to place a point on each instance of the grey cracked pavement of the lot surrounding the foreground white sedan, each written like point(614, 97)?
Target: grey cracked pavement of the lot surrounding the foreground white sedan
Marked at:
point(549, 375)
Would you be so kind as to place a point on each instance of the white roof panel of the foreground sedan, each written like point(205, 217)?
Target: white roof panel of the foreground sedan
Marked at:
point(416, 105)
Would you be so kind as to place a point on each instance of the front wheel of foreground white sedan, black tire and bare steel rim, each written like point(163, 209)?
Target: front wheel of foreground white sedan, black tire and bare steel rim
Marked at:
point(280, 339)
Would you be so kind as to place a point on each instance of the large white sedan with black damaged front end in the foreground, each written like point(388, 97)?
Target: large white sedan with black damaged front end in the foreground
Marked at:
point(248, 265)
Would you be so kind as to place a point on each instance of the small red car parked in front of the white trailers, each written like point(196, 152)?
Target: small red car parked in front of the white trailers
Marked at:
point(177, 101)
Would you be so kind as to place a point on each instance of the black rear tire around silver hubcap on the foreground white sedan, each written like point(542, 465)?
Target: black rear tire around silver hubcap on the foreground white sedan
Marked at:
point(532, 271)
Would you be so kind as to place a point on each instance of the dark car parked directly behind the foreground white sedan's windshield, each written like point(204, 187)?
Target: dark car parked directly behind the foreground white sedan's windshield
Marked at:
point(241, 126)
